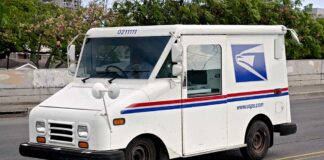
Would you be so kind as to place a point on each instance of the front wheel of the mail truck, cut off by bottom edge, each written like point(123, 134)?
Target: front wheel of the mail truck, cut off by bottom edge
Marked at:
point(141, 149)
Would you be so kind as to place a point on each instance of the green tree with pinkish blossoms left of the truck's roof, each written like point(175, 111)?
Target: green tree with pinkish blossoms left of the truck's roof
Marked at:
point(30, 25)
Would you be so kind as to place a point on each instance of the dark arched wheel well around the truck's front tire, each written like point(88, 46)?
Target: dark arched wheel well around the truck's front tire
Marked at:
point(162, 152)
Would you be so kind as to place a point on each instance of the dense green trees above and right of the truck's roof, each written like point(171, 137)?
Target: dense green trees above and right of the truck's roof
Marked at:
point(244, 12)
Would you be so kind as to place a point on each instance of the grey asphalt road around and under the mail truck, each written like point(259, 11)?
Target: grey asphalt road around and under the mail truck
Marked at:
point(307, 144)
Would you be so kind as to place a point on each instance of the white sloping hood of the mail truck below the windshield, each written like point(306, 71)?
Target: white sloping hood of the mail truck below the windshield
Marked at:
point(79, 96)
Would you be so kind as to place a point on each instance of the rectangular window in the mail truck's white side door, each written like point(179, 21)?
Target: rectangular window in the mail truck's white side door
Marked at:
point(204, 70)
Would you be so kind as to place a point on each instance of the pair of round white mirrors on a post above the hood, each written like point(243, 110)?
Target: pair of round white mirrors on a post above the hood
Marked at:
point(98, 91)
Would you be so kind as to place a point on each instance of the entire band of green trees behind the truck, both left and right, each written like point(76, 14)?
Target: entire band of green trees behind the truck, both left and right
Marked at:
point(29, 25)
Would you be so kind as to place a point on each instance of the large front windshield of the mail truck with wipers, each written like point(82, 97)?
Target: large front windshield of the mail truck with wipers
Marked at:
point(121, 57)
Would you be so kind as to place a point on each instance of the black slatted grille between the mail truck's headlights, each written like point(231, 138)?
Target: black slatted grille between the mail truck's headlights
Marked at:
point(61, 132)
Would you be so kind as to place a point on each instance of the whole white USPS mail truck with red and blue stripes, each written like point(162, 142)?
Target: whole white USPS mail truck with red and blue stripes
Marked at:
point(163, 92)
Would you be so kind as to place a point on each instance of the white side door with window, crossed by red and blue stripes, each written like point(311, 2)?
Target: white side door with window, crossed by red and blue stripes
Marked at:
point(204, 111)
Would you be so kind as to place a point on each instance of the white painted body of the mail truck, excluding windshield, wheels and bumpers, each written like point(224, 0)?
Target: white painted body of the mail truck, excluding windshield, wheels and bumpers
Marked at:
point(161, 107)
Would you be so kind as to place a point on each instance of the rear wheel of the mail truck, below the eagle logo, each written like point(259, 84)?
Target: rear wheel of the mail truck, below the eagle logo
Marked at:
point(257, 140)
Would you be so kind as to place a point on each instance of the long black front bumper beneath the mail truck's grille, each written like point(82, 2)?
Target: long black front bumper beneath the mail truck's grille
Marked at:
point(62, 153)
